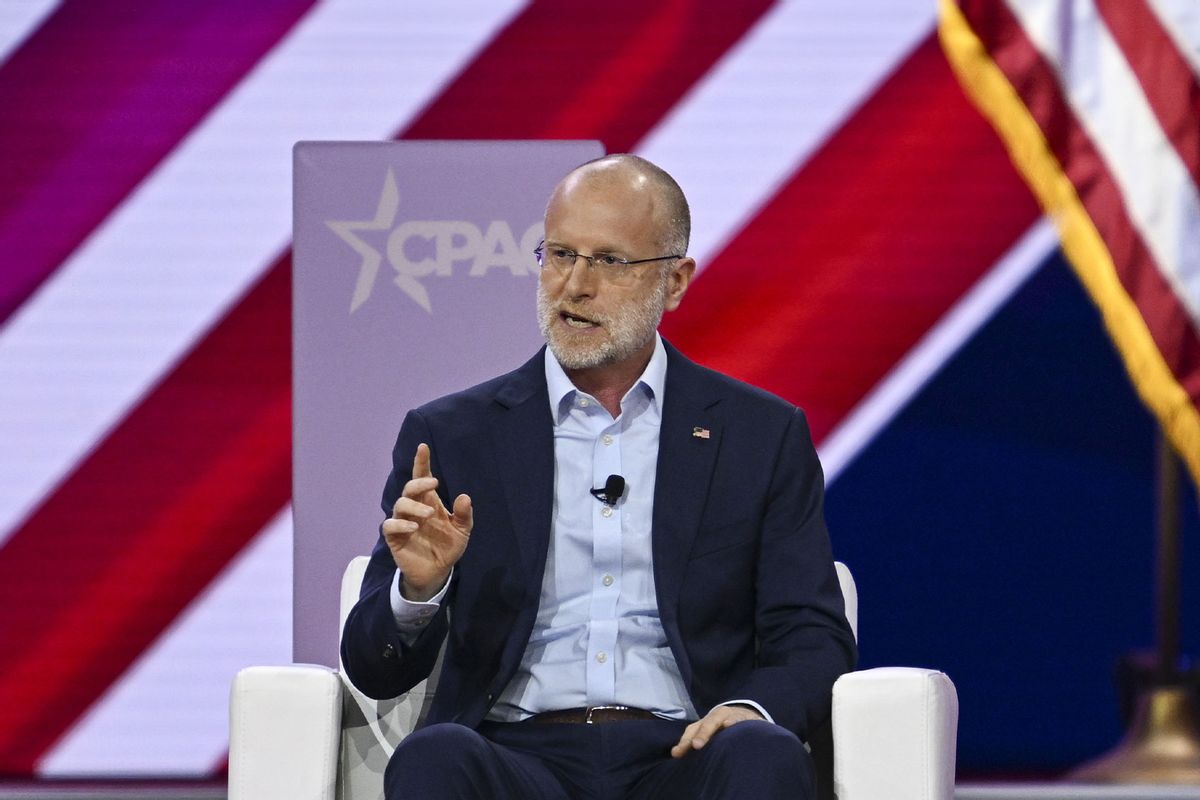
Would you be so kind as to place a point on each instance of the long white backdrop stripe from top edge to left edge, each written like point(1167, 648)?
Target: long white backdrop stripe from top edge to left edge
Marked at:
point(185, 246)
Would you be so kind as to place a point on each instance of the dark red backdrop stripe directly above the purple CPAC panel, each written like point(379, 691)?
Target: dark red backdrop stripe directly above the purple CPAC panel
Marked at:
point(622, 67)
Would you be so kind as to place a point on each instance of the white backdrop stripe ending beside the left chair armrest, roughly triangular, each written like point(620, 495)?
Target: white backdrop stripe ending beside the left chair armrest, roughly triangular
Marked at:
point(169, 713)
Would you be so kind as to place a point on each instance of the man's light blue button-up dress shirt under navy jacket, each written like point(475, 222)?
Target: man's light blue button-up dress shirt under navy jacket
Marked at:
point(598, 639)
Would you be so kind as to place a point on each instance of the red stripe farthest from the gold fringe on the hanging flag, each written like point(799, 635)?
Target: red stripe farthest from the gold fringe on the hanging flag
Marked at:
point(1166, 76)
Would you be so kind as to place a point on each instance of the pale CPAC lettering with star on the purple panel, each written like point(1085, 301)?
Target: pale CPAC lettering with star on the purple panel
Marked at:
point(418, 250)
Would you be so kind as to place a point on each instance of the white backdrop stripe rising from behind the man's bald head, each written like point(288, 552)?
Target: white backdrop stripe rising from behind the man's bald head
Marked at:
point(773, 100)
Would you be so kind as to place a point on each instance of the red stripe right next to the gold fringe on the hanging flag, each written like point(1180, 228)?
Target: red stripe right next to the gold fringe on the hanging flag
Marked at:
point(1037, 83)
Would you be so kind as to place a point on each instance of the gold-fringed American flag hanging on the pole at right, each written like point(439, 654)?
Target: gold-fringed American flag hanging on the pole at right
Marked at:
point(1100, 104)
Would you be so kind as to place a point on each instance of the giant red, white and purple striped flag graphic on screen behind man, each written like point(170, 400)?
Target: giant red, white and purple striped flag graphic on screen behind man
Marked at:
point(856, 220)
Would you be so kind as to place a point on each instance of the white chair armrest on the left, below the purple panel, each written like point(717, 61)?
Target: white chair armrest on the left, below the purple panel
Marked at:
point(285, 732)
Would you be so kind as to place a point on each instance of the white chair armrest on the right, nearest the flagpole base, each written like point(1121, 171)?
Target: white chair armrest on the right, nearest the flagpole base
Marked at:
point(895, 735)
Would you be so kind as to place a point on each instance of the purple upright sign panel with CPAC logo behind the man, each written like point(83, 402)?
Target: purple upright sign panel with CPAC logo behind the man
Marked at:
point(413, 278)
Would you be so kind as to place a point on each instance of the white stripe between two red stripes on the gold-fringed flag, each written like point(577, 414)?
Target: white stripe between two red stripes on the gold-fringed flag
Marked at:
point(1106, 97)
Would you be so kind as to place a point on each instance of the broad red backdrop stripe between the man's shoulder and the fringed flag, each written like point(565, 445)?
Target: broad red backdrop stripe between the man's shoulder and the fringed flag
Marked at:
point(863, 250)
